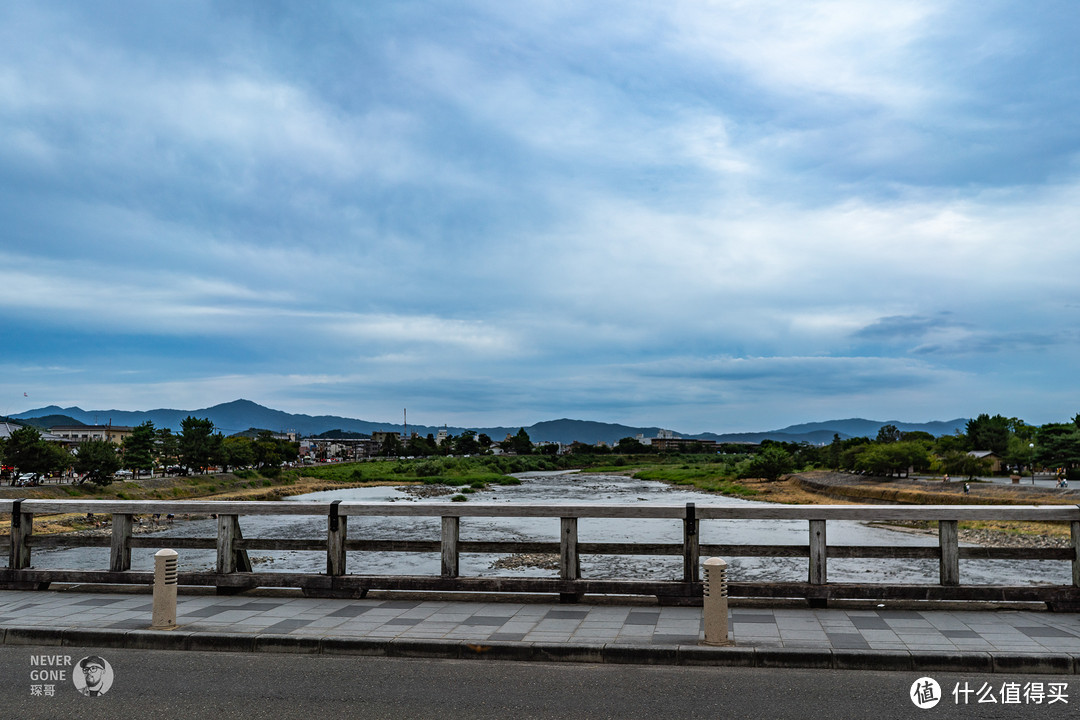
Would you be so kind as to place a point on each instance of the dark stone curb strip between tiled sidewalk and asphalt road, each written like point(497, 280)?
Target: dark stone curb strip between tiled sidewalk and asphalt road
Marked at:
point(634, 655)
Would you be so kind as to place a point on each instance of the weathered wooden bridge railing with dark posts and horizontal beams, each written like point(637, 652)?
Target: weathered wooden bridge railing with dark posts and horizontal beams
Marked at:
point(234, 569)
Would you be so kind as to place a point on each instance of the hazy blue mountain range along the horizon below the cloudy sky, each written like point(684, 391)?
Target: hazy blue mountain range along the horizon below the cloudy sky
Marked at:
point(241, 415)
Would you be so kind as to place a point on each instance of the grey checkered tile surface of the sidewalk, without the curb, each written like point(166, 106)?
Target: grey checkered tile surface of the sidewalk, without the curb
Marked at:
point(872, 630)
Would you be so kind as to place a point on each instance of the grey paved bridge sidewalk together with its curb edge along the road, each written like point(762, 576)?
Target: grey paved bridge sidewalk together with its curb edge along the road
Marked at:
point(874, 639)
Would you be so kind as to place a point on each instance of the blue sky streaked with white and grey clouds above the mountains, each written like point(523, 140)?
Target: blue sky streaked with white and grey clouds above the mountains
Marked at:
point(706, 216)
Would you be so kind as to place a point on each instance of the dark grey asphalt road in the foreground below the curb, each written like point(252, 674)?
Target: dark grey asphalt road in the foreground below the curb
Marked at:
point(206, 686)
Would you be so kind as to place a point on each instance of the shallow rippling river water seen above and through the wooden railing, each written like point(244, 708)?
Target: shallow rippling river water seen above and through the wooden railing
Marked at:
point(570, 488)
